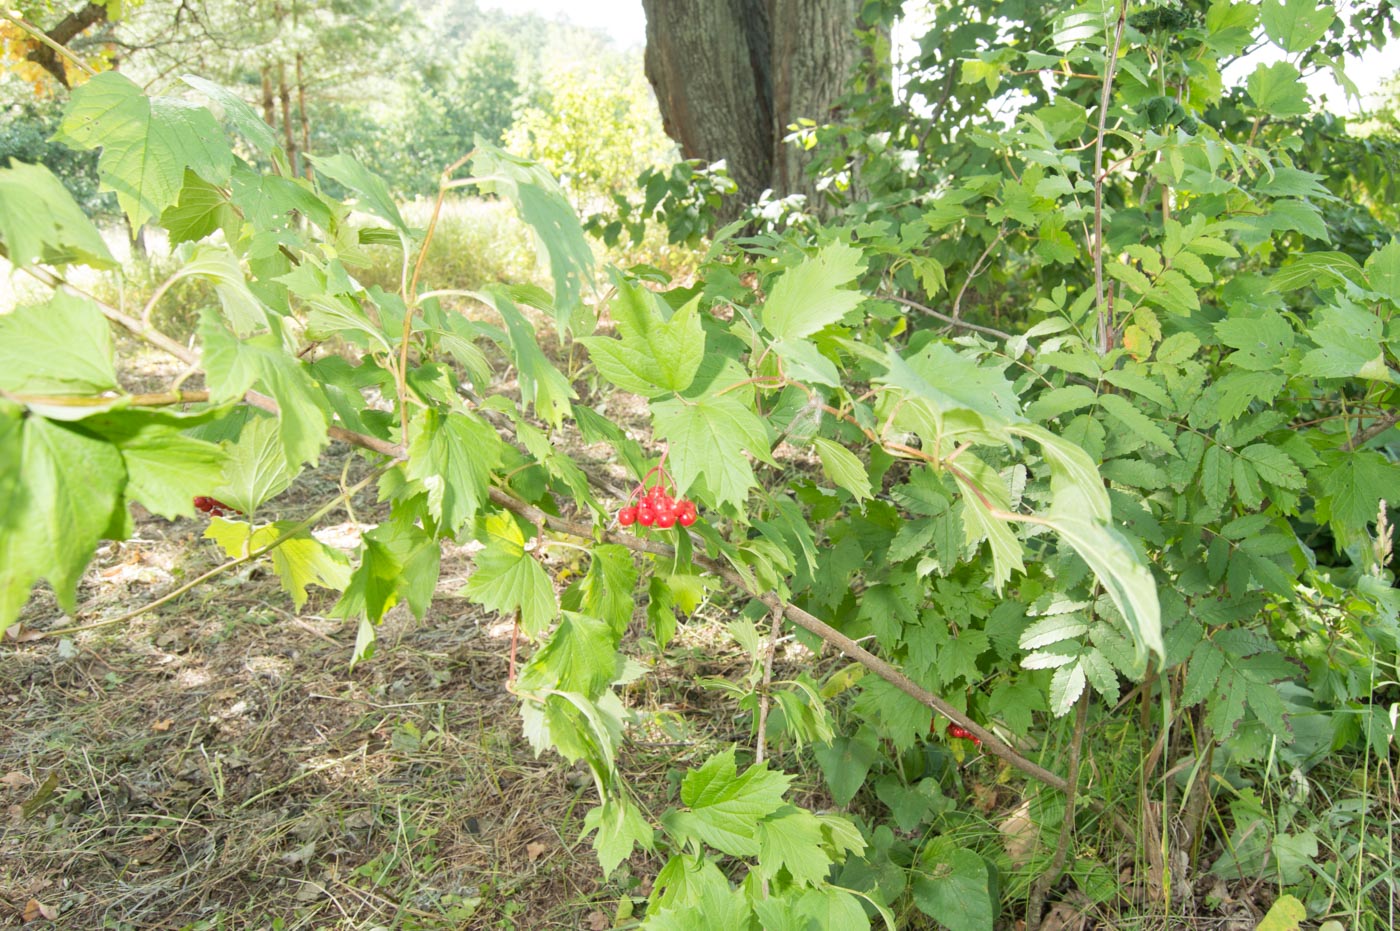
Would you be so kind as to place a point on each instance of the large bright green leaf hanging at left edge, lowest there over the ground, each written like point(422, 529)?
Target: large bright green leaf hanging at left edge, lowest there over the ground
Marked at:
point(54, 519)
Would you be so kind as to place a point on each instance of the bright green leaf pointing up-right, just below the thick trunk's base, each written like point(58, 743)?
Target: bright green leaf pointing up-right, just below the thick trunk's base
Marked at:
point(813, 295)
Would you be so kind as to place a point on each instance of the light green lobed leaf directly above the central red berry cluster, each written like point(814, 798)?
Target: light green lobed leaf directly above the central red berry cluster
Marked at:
point(708, 439)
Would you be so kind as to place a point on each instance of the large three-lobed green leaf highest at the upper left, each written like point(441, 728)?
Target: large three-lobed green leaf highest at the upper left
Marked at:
point(148, 142)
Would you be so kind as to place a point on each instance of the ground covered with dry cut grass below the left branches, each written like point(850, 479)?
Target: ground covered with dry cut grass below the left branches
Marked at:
point(218, 765)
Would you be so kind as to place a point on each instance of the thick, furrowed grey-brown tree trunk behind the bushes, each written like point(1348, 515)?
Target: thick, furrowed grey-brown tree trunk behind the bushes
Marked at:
point(731, 76)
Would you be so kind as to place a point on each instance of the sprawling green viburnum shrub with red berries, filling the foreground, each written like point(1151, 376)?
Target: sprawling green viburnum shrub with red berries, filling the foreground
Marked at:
point(992, 527)
